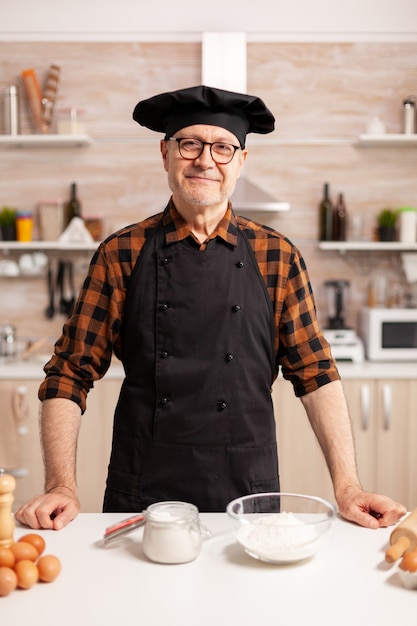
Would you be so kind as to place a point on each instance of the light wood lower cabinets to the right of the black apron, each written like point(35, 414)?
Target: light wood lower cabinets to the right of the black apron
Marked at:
point(385, 429)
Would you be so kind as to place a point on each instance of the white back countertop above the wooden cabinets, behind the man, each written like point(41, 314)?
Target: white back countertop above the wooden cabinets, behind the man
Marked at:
point(33, 370)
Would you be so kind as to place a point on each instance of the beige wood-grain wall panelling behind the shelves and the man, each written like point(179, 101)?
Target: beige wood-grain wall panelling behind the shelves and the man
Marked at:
point(323, 96)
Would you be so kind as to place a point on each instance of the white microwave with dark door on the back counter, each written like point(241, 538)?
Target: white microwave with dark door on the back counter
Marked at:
point(389, 334)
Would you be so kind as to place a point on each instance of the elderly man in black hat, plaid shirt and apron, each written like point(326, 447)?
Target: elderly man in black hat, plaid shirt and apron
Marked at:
point(202, 307)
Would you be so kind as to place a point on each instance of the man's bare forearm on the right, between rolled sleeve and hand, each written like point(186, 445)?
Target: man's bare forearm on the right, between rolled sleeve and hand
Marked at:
point(328, 414)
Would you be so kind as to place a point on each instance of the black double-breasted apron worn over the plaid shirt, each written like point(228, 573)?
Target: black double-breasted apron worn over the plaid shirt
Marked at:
point(194, 420)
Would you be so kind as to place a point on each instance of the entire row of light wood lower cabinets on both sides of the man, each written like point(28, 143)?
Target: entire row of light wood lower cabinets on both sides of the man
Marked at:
point(383, 414)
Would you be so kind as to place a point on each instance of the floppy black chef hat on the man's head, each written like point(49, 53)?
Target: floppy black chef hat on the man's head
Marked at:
point(237, 112)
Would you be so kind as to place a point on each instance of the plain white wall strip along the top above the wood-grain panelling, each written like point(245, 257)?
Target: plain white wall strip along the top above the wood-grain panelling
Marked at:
point(185, 19)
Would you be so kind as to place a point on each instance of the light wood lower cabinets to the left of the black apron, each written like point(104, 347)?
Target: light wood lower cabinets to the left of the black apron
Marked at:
point(20, 451)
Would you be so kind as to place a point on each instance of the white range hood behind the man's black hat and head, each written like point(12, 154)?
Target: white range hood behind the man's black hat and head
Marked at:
point(224, 67)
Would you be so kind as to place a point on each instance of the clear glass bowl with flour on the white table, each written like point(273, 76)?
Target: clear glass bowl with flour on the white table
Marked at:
point(280, 527)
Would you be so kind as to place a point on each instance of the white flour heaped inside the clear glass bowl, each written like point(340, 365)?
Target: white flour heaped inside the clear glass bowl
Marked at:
point(278, 537)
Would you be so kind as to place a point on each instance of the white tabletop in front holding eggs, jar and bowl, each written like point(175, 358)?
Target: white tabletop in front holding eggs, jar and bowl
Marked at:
point(347, 583)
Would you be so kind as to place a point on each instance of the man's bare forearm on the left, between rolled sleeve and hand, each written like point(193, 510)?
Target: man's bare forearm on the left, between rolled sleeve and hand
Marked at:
point(59, 427)
